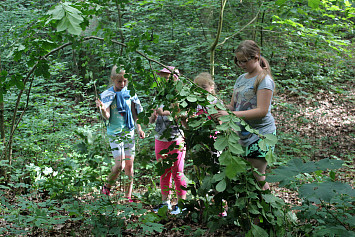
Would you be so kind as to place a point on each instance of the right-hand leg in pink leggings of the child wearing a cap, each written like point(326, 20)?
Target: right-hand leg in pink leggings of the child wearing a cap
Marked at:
point(178, 171)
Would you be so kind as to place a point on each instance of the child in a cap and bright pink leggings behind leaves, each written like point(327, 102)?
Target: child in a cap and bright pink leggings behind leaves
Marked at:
point(161, 118)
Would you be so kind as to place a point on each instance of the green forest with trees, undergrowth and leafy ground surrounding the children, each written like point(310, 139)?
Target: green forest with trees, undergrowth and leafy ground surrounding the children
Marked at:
point(56, 58)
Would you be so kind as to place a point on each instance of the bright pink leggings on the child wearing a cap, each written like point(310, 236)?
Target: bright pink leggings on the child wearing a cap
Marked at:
point(177, 170)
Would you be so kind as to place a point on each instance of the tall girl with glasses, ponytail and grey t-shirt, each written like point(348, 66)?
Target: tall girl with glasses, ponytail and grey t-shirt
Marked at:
point(251, 100)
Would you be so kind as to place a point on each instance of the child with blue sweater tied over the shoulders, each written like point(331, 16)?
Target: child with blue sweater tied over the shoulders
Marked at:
point(120, 109)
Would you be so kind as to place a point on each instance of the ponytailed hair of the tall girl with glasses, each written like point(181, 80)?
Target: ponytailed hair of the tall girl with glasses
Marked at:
point(250, 49)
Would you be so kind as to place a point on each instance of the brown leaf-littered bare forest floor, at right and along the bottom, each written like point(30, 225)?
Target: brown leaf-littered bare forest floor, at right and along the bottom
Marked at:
point(316, 128)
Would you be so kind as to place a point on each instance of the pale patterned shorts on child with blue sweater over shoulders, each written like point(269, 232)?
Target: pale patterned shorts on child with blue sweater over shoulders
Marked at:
point(123, 143)
